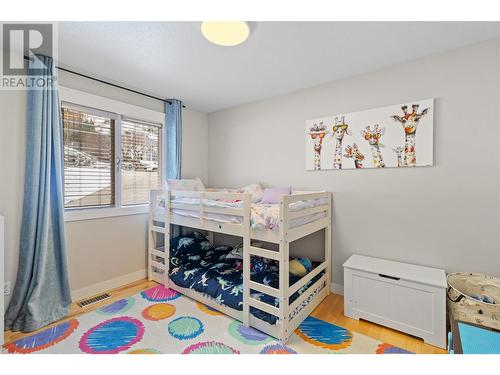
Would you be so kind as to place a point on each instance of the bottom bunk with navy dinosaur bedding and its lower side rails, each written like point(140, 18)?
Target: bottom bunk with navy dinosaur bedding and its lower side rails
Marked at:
point(214, 275)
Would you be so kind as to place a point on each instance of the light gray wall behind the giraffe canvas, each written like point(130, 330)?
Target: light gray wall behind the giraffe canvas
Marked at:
point(443, 216)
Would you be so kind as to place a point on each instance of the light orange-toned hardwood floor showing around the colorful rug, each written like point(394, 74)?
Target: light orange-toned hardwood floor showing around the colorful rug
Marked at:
point(330, 310)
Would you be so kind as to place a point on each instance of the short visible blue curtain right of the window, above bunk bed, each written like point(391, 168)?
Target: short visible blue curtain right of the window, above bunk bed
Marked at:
point(173, 136)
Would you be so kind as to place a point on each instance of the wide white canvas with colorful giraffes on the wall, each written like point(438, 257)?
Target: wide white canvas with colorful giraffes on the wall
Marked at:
point(400, 136)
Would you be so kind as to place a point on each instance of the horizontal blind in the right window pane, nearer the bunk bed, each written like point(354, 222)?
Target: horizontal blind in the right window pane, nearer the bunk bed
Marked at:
point(140, 160)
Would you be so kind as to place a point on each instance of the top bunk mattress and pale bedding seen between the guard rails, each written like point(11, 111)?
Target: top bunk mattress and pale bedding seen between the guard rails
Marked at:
point(263, 216)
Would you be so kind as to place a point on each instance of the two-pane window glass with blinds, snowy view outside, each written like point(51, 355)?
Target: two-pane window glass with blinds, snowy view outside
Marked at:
point(109, 161)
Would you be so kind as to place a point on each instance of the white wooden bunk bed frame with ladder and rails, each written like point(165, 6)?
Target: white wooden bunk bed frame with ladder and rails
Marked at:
point(286, 324)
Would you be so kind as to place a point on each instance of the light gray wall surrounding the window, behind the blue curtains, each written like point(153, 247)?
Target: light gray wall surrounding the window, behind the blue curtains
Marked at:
point(101, 249)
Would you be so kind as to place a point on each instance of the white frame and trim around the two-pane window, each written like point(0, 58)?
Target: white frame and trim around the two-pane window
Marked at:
point(79, 99)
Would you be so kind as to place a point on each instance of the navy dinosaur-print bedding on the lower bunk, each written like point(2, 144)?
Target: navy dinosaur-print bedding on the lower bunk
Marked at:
point(196, 264)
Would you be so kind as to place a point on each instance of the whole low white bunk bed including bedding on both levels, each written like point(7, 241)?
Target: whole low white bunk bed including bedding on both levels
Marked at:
point(276, 307)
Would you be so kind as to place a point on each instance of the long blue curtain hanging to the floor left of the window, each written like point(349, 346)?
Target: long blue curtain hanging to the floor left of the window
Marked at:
point(41, 294)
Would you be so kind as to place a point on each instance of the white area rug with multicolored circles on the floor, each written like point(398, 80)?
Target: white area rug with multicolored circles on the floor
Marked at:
point(159, 321)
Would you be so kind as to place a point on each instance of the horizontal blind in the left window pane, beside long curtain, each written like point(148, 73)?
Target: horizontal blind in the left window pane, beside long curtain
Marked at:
point(88, 158)
